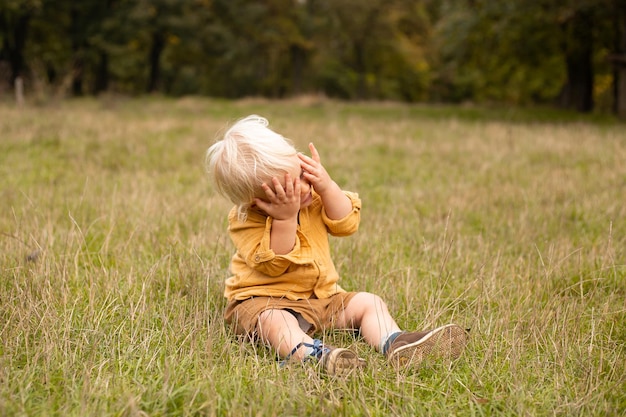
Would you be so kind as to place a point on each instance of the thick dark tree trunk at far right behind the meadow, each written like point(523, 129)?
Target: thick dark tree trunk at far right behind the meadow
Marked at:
point(578, 46)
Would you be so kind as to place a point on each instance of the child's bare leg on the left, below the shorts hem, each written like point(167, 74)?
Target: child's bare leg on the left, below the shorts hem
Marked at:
point(281, 330)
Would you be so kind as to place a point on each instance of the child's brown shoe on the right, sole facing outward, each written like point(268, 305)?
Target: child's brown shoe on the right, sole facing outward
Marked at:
point(412, 348)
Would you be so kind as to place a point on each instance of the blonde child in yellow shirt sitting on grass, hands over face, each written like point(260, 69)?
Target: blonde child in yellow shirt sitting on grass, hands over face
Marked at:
point(284, 287)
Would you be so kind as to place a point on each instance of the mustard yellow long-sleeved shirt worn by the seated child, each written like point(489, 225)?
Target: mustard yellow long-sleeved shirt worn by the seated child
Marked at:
point(306, 271)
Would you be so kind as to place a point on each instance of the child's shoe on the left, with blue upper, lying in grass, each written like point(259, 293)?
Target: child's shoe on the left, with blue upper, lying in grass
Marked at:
point(334, 361)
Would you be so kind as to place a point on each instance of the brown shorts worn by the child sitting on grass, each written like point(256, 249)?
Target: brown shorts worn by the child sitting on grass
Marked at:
point(313, 314)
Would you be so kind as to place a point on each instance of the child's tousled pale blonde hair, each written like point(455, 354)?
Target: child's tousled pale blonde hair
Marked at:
point(249, 154)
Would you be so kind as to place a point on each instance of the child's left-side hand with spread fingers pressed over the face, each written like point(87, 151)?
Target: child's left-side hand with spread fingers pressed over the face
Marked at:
point(283, 203)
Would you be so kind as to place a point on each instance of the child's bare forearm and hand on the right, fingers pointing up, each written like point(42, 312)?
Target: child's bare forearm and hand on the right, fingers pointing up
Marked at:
point(336, 204)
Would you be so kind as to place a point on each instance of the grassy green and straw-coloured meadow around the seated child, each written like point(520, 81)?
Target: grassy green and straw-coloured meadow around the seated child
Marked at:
point(113, 252)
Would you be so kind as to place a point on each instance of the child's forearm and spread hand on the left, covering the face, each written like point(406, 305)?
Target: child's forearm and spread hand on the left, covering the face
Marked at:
point(282, 206)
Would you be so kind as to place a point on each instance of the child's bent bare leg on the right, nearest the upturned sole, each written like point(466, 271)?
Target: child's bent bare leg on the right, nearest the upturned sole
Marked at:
point(369, 313)
